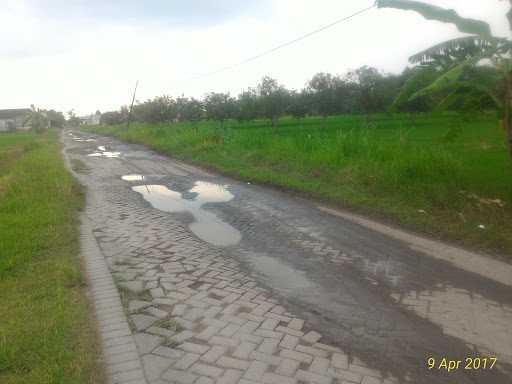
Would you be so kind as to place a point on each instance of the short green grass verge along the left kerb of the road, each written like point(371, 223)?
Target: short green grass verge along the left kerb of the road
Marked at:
point(46, 332)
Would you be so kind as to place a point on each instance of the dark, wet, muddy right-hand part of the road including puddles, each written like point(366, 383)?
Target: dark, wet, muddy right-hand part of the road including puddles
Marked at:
point(380, 299)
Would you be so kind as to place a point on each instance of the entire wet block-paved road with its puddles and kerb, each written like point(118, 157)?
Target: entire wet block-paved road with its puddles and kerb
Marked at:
point(198, 278)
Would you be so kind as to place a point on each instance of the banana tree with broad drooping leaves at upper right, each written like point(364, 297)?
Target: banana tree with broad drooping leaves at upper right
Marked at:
point(457, 60)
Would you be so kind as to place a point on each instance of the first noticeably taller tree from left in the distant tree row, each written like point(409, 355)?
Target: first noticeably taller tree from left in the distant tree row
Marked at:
point(273, 99)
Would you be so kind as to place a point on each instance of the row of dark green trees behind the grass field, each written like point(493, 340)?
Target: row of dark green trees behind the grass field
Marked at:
point(365, 90)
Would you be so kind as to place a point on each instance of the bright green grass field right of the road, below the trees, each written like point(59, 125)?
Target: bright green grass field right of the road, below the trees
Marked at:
point(442, 174)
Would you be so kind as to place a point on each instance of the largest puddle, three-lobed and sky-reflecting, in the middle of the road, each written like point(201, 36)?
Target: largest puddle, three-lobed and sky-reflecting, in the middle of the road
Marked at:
point(206, 226)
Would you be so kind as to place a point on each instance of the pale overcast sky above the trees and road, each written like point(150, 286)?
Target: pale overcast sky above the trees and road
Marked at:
point(87, 54)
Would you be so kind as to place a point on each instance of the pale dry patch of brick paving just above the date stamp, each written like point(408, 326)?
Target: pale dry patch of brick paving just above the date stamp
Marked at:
point(483, 323)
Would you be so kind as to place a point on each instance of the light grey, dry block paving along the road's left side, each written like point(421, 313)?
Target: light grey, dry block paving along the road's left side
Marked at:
point(192, 312)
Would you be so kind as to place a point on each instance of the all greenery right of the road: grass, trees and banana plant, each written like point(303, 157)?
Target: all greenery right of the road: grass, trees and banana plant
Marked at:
point(430, 148)
